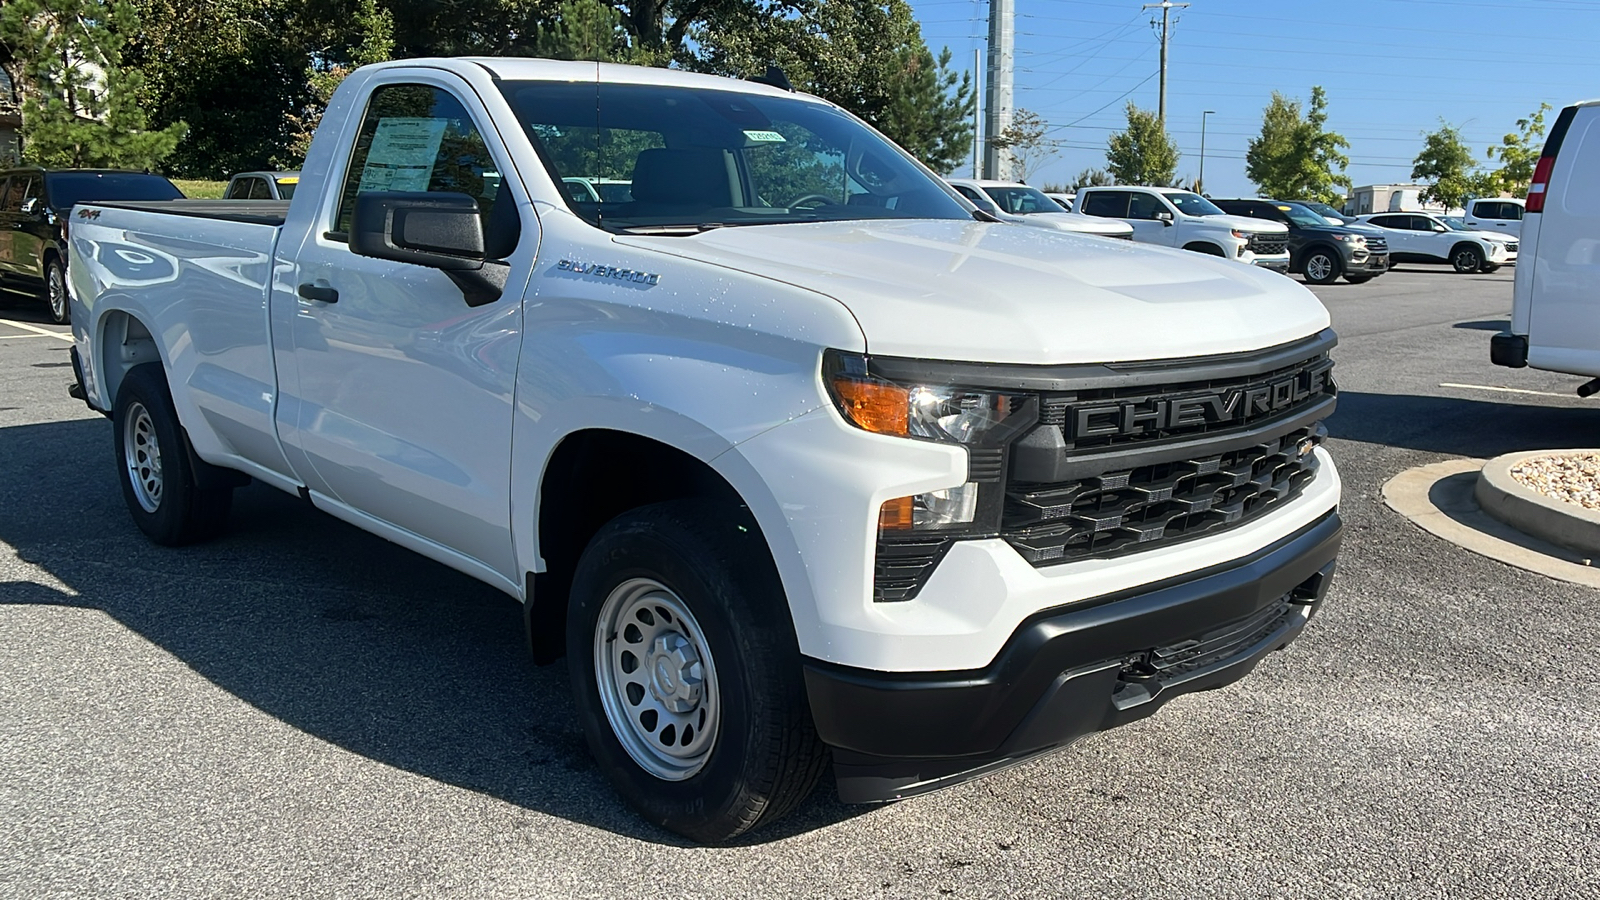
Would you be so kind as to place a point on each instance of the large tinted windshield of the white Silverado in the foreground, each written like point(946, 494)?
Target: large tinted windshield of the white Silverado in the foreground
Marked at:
point(638, 158)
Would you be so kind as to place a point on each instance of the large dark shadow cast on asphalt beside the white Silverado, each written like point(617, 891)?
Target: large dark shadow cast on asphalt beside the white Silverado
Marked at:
point(327, 629)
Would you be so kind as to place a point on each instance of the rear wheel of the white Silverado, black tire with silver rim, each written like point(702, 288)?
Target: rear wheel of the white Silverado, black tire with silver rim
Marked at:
point(177, 512)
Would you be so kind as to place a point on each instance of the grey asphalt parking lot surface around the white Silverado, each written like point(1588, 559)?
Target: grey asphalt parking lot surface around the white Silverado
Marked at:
point(302, 710)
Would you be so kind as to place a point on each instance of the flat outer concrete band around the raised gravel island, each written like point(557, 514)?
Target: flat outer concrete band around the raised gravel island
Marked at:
point(1439, 500)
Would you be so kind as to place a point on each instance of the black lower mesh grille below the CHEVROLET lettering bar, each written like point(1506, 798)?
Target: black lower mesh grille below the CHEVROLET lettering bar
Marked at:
point(1159, 504)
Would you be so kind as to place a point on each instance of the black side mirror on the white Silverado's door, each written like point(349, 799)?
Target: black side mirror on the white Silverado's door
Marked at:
point(439, 231)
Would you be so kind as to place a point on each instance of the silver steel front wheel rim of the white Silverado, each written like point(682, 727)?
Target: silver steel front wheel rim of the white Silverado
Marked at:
point(658, 683)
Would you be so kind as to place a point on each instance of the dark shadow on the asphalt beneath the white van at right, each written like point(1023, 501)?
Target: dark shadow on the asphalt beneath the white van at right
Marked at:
point(1466, 428)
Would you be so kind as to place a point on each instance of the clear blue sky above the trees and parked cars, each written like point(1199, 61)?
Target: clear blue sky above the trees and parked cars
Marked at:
point(1391, 68)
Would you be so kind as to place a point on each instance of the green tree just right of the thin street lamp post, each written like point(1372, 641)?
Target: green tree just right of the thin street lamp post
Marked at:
point(1297, 158)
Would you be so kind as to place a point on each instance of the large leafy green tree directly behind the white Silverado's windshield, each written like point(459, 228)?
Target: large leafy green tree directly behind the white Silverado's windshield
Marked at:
point(863, 55)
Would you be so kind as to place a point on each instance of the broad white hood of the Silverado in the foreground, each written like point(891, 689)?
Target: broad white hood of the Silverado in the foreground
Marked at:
point(993, 292)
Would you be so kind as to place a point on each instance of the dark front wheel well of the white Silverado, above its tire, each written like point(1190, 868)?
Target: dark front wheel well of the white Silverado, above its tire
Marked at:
point(593, 478)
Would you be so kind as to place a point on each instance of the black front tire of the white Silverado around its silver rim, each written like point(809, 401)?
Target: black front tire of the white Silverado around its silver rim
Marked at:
point(764, 757)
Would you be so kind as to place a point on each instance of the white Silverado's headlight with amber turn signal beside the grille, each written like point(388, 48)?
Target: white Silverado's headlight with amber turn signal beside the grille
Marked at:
point(985, 422)
